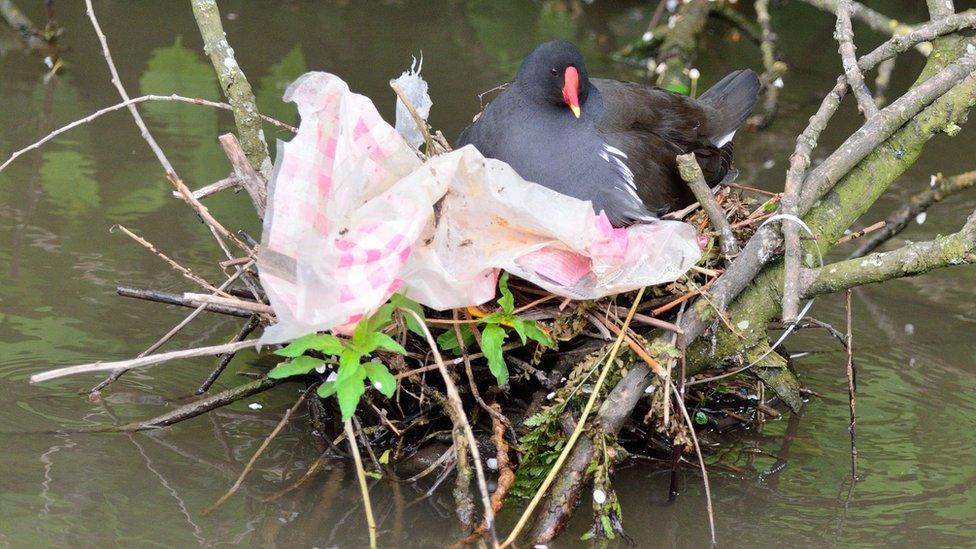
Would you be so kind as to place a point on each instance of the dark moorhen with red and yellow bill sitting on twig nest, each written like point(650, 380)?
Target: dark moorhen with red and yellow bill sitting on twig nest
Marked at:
point(610, 142)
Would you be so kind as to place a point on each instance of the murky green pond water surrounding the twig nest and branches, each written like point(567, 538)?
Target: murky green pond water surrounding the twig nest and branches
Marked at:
point(59, 265)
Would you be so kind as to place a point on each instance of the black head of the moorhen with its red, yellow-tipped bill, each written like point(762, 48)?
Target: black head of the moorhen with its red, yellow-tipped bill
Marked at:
point(554, 74)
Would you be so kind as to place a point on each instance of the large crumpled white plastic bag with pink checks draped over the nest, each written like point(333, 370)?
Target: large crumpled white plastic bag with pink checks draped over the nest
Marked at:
point(354, 216)
